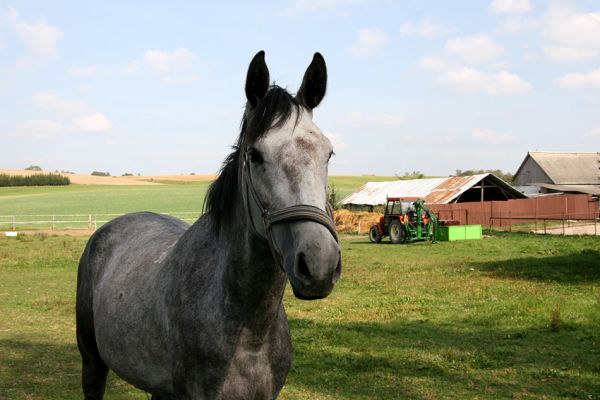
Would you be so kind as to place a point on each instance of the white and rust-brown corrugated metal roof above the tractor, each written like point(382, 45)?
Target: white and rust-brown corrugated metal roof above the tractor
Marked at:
point(434, 191)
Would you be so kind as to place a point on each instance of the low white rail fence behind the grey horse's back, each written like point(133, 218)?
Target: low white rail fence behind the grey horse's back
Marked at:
point(74, 221)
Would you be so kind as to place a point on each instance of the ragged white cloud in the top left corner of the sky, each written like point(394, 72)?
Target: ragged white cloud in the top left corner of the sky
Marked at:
point(40, 37)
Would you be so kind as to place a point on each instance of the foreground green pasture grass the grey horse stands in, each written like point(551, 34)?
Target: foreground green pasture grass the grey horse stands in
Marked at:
point(513, 315)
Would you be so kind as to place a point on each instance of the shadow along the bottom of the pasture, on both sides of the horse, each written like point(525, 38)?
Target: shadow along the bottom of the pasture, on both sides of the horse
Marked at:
point(359, 360)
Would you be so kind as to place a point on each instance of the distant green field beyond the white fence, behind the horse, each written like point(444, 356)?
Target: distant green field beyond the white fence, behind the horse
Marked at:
point(171, 197)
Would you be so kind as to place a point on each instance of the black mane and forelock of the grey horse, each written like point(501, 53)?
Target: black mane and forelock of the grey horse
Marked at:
point(272, 112)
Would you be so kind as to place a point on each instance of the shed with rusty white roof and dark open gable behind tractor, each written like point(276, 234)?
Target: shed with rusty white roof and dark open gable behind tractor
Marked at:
point(453, 189)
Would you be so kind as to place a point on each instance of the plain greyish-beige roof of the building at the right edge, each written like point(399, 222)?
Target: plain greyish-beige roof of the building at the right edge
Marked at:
point(569, 168)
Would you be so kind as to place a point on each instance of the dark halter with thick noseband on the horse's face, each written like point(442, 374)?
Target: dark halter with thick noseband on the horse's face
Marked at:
point(297, 212)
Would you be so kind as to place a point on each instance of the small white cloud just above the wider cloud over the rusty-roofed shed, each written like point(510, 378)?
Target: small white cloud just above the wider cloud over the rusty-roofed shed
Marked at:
point(474, 49)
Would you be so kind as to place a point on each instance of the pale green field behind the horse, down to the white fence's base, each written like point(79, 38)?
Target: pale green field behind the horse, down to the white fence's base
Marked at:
point(76, 204)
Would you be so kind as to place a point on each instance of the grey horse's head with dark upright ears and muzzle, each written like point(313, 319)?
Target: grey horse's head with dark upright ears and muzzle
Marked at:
point(284, 164)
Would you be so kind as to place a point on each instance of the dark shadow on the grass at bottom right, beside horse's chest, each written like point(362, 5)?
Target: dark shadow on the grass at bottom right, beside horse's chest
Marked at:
point(420, 360)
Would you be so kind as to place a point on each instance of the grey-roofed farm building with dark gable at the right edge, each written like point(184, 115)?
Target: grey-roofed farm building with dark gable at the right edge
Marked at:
point(559, 172)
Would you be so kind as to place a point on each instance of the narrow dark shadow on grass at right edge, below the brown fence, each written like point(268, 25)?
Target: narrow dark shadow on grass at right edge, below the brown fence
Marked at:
point(575, 268)
